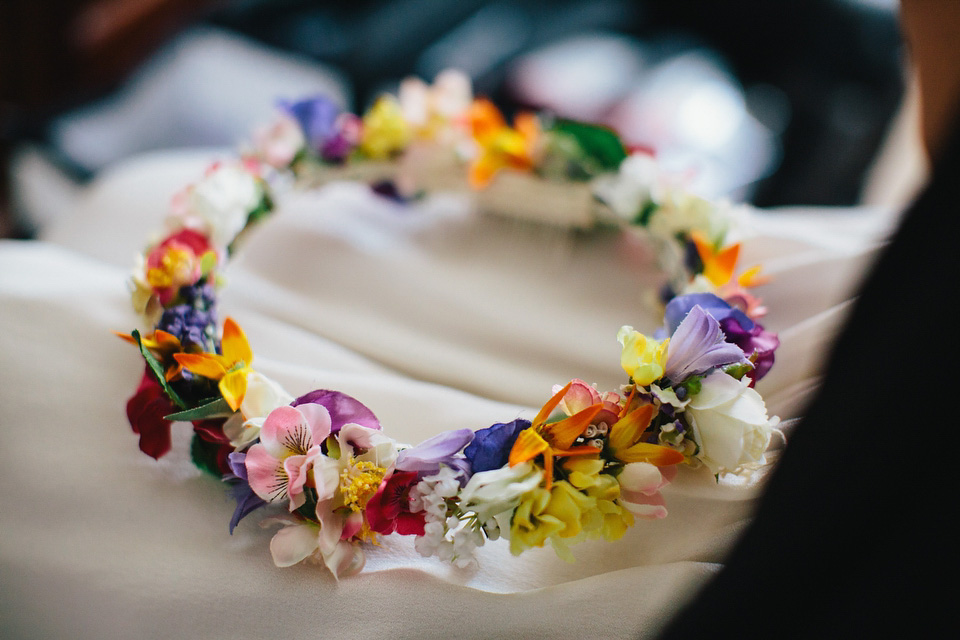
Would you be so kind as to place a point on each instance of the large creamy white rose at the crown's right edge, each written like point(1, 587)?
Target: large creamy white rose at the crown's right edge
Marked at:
point(730, 423)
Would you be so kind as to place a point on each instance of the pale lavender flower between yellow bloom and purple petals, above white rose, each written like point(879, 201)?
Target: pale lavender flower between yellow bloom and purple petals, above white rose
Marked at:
point(699, 345)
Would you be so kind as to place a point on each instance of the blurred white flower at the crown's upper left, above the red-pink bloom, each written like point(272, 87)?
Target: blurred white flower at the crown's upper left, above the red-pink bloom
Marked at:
point(220, 203)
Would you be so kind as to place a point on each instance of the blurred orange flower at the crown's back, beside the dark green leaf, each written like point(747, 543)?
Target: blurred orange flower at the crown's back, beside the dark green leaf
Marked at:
point(500, 146)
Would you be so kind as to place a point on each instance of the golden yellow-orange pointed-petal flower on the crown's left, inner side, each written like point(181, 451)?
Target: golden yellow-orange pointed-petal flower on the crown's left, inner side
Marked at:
point(230, 368)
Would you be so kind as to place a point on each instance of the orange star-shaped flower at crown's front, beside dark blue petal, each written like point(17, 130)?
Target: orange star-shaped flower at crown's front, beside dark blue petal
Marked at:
point(554, 439)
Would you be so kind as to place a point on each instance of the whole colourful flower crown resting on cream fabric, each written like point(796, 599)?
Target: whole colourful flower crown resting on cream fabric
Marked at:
point(587, 465)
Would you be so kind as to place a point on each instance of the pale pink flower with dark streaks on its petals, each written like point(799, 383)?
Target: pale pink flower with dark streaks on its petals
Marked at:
point(278, 466)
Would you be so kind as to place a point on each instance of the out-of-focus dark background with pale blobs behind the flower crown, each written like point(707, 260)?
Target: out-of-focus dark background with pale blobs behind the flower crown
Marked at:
point(777, 103)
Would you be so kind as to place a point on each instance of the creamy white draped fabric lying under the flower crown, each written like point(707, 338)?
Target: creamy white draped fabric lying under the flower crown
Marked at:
point(436, 319)
